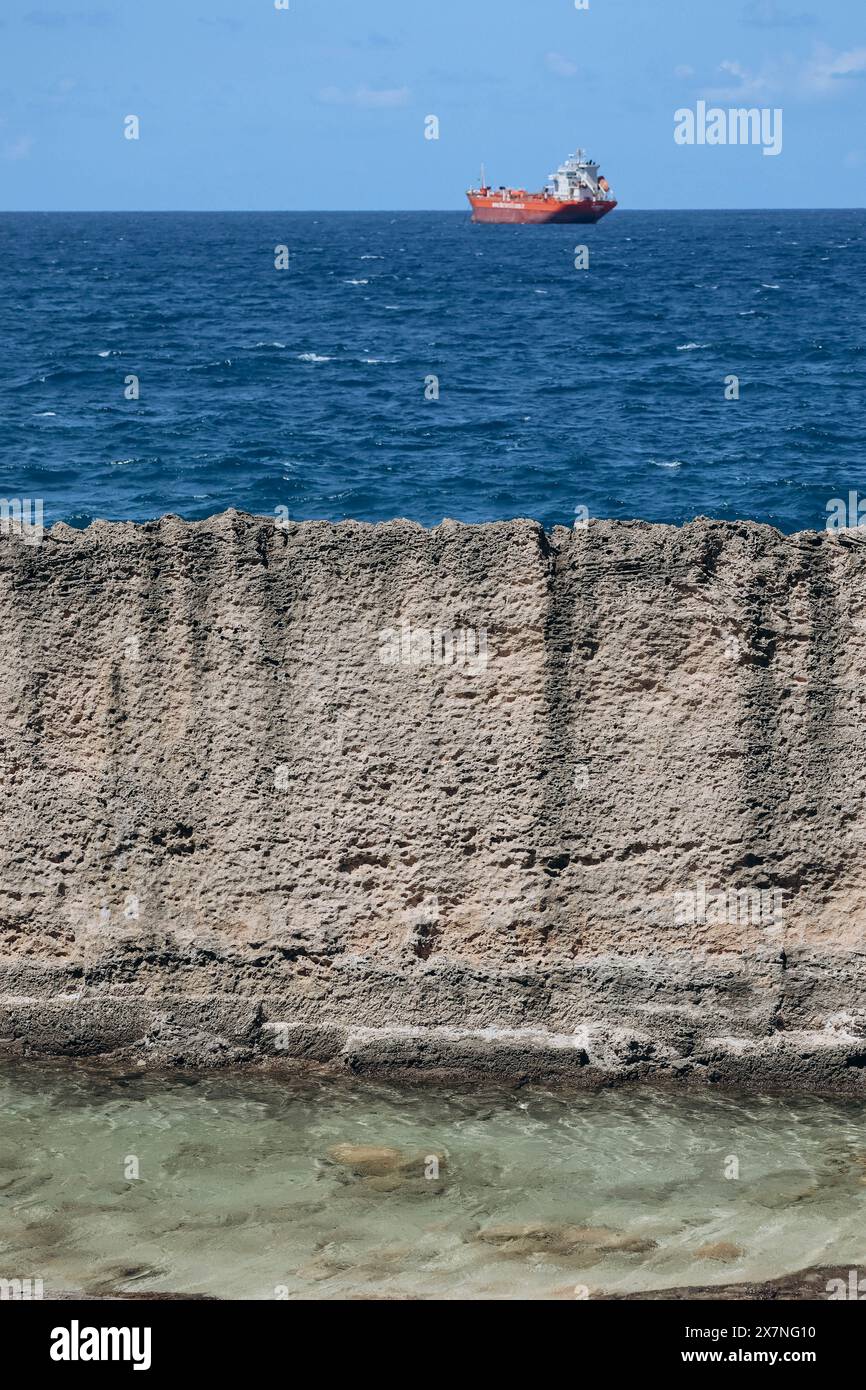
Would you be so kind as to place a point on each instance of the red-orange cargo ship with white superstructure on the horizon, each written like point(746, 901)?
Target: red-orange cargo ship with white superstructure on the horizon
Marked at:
point(575, 194)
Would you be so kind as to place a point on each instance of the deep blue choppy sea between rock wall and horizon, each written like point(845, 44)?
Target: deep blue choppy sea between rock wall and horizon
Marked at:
point(559, 389)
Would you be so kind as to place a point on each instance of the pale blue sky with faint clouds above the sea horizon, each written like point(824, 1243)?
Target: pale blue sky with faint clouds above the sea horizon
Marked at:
point(244, 106)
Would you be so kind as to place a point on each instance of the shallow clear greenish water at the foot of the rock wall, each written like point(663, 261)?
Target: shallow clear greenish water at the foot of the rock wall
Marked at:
point(240, 1196)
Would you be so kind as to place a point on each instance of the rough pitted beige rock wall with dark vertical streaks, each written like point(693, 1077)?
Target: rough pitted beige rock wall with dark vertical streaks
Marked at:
point(233, 826)
